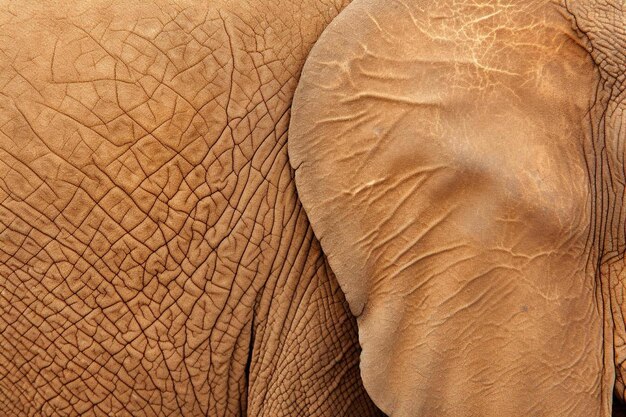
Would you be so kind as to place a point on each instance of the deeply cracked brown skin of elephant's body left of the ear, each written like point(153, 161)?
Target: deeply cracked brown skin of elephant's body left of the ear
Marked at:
point(154, 257)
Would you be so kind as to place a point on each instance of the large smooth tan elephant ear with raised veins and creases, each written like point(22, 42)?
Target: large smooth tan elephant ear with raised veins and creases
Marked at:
point(445, 160)
